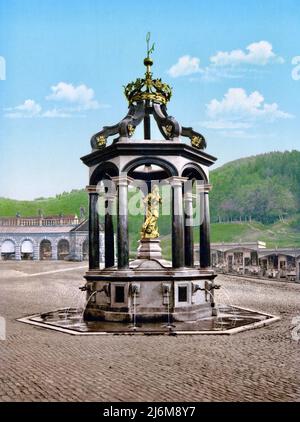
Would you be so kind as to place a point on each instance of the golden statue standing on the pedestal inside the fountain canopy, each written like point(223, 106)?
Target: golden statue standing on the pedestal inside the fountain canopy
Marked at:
point(151, 201)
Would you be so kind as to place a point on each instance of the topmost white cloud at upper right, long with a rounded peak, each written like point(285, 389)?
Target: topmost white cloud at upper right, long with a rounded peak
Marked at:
point(259, 53)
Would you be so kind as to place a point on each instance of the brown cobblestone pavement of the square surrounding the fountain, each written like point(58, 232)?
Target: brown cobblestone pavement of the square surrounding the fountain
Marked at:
point(43, 365)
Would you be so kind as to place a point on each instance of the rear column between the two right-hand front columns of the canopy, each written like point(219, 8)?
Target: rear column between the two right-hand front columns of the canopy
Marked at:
point(188, 230)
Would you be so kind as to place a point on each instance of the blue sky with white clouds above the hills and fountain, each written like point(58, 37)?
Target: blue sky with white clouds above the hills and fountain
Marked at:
point(234, 69)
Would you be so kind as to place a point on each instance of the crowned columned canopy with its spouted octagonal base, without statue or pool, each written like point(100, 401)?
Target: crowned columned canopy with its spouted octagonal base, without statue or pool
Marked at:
point(148, 283)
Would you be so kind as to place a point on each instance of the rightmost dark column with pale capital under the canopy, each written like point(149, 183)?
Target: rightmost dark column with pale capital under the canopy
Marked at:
point(205, 259)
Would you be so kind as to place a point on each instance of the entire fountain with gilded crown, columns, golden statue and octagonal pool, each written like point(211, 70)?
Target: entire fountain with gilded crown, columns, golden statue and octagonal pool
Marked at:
point(139, 296)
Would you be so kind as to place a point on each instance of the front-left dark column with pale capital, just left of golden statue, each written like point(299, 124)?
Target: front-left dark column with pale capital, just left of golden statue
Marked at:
point(122, 183)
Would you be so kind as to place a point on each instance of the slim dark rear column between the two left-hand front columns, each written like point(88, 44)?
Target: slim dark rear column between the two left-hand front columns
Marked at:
point(109, 237)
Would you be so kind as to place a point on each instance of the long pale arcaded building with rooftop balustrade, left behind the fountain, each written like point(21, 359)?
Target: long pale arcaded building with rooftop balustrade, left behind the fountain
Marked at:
point(45, 238)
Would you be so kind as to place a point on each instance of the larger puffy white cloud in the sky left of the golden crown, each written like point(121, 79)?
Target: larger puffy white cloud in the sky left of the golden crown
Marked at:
point(80, 95)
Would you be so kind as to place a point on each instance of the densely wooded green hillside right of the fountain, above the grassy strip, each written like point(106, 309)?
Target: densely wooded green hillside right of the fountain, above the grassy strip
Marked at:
point(264, 188)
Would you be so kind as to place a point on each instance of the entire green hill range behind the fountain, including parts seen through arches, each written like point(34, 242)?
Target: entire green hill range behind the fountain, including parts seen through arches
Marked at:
point(254, 198)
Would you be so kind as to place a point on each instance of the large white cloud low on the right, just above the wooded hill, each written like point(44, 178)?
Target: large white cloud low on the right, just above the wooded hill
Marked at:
point(237, 105)
